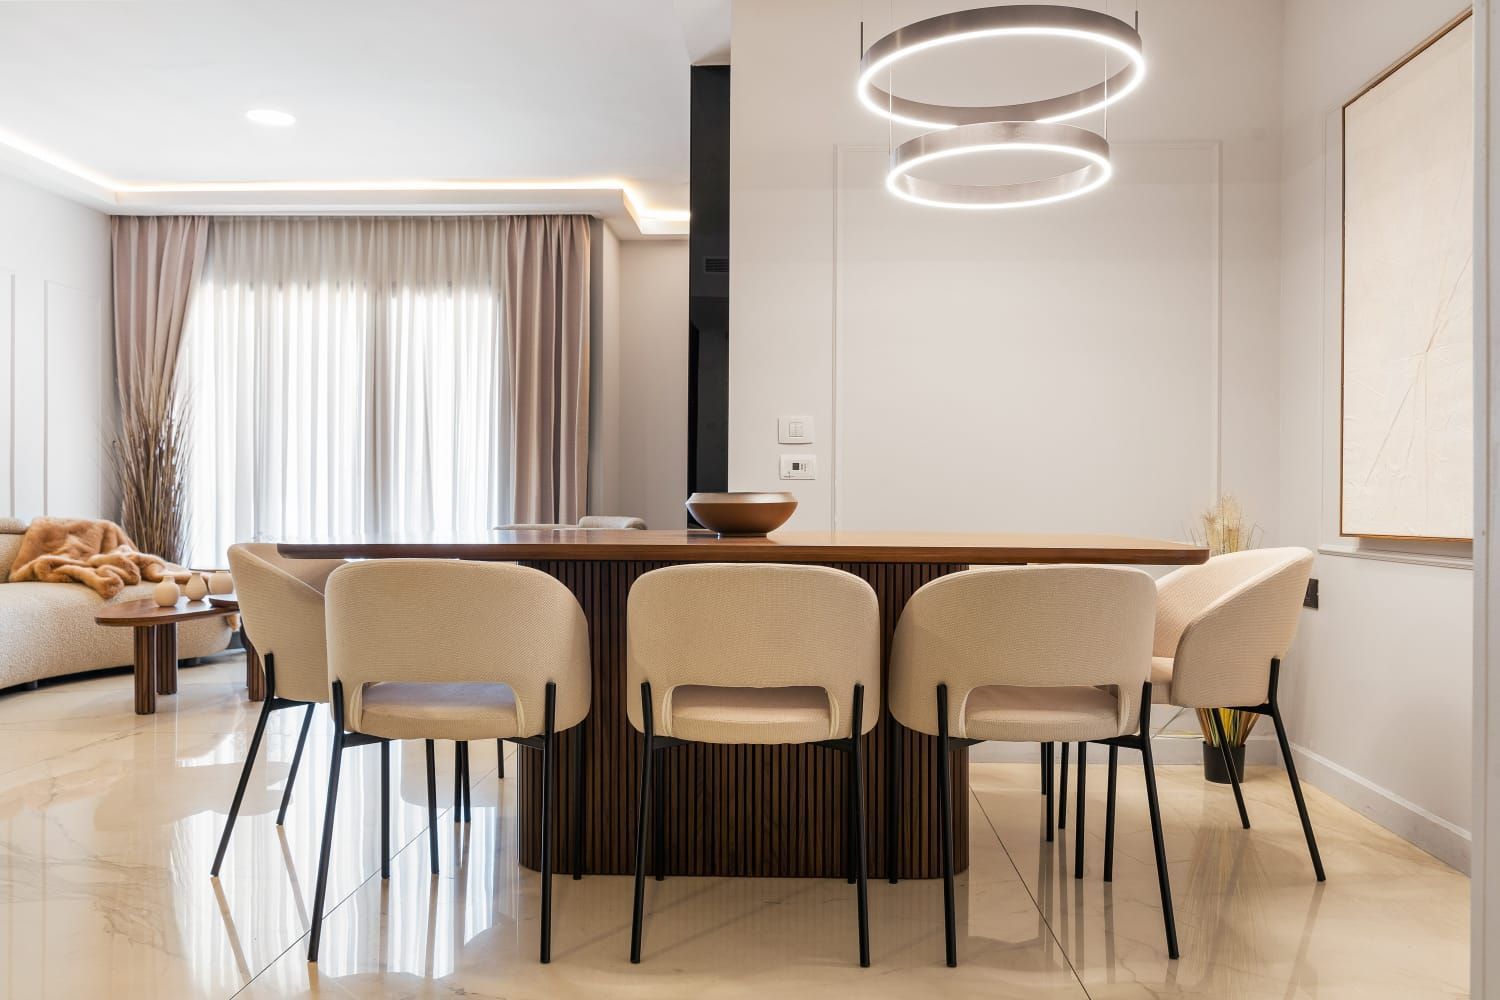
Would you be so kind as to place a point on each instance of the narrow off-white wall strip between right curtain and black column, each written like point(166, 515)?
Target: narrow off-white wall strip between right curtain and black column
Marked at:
point(653, 382)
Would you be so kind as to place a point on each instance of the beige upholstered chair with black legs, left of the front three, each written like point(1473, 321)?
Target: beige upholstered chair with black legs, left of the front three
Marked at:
point(449, 650)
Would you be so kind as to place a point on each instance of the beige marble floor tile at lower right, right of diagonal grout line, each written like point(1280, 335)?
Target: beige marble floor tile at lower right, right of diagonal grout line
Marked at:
point(1252, 920)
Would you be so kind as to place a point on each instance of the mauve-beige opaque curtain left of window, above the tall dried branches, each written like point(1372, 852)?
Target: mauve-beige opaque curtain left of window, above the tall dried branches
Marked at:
point(157, 263)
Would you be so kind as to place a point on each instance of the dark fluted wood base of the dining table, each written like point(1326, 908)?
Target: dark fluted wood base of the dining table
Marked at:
point(736, 810)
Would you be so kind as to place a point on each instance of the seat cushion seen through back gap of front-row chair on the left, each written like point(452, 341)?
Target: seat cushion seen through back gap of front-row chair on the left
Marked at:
point(439, 711)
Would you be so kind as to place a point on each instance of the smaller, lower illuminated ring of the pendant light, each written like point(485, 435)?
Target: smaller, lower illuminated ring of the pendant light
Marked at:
point(1000, 137)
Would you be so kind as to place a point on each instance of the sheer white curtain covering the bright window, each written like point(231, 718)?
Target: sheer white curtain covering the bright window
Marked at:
point(347, 379)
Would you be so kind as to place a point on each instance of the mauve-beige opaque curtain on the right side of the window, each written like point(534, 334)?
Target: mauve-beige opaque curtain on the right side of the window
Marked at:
point(547, 341)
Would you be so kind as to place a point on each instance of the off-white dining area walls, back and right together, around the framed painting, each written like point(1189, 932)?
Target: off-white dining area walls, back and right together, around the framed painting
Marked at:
point(1010, 371)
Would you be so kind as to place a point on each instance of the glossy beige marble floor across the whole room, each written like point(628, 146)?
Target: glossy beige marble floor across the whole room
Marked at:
point(109, 824)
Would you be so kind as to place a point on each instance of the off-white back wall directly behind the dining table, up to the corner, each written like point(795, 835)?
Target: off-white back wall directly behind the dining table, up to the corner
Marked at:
point(1007, 371)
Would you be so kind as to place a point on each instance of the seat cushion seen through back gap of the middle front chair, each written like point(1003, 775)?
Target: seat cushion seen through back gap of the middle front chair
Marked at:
point(751, 716)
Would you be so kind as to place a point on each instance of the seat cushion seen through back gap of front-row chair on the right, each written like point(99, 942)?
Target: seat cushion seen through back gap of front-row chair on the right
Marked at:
point(1024, 714)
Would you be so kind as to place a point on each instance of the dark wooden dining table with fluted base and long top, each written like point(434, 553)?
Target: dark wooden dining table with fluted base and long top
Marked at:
point(746, 810)
